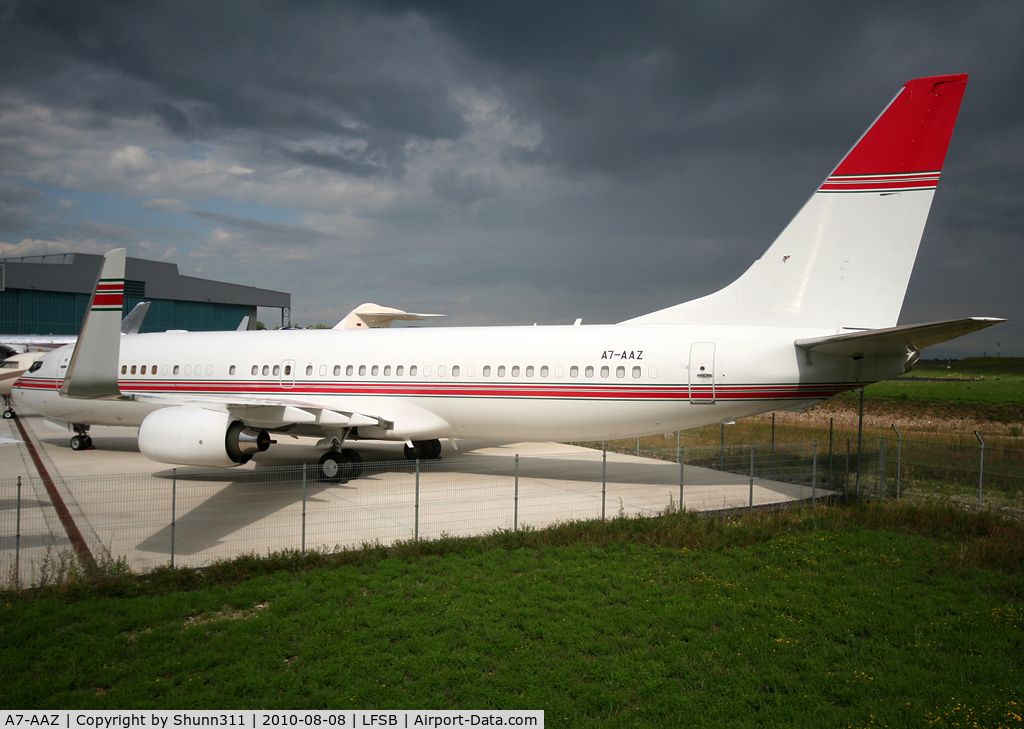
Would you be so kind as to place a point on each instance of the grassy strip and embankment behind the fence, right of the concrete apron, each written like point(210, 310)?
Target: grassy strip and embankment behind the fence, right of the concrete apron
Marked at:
point(937, 407)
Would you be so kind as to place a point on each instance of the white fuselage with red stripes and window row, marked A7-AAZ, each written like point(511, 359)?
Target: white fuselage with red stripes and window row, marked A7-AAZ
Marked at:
point(508, 383)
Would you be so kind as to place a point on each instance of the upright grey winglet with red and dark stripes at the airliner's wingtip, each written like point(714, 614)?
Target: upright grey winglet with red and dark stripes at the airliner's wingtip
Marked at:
point(94, 369)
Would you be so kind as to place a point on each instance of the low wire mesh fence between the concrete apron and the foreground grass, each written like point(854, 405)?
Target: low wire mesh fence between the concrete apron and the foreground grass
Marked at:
point(191, 518)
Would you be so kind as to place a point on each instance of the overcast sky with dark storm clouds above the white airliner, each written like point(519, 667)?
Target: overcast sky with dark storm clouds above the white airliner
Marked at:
point(499, 162)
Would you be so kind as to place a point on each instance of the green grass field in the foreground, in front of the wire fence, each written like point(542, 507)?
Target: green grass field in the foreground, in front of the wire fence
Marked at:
point(875, 615)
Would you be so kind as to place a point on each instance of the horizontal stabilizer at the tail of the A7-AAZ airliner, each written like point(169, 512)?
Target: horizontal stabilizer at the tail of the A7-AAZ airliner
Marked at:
point(895, 340)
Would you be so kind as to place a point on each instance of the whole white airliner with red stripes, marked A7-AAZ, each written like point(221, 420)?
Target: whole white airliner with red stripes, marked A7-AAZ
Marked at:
point(816, 316)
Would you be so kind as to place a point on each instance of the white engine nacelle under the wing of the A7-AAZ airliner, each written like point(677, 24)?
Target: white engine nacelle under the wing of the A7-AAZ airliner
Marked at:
point(199, 438)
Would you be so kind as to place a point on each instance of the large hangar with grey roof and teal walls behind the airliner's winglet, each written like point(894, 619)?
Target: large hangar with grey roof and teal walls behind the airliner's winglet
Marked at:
point(48, 295)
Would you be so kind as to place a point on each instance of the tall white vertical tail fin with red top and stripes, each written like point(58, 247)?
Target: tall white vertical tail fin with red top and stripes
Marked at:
point(845, 261)
